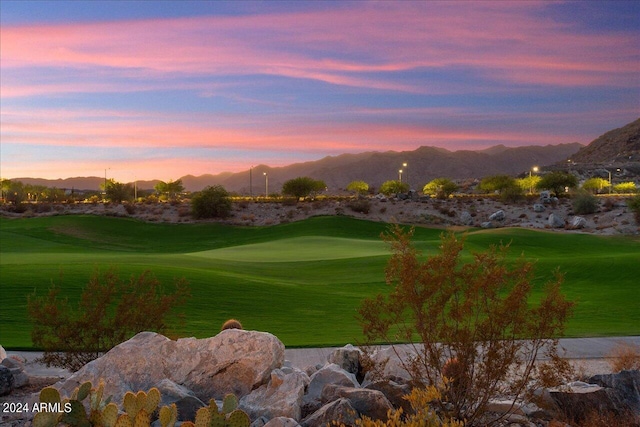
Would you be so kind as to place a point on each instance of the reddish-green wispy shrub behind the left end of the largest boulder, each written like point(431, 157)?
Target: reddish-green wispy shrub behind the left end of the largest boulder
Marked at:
point(109, 311)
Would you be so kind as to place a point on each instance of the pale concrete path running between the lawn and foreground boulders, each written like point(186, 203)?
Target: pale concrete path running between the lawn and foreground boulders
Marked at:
point(575, 348)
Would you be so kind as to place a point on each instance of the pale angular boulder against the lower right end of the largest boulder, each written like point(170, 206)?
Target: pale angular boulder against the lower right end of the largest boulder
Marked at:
point(282, 397)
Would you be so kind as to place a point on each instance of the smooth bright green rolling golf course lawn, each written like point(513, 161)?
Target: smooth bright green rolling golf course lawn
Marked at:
point(301, 281)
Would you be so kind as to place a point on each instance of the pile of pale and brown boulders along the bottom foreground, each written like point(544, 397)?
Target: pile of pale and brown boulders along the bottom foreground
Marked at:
point(190, 372)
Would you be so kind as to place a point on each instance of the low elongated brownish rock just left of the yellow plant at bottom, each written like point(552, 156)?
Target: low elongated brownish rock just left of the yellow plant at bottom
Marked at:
point(371, 403)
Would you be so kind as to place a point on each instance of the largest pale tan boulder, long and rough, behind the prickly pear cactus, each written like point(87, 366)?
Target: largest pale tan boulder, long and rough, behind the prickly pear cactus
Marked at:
point(234, 361)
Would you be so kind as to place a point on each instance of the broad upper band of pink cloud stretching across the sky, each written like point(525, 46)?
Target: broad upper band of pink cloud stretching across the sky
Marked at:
point(501, 40)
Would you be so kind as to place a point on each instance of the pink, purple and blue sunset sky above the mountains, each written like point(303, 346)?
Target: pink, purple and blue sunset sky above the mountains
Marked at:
point(162, 89)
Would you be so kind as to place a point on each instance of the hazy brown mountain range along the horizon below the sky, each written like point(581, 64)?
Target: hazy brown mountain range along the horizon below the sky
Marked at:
point(422, 165)
